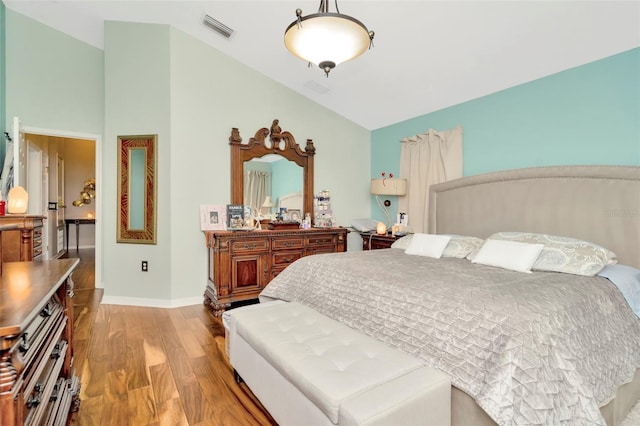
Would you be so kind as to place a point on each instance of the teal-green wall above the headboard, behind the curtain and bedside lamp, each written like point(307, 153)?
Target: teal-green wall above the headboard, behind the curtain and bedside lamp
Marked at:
point(585, 115)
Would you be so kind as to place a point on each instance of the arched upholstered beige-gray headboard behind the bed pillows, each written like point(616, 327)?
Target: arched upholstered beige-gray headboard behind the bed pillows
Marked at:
point(600, 204)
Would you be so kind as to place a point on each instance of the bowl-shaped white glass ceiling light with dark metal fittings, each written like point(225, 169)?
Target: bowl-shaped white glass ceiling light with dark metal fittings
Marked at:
point(327, 39)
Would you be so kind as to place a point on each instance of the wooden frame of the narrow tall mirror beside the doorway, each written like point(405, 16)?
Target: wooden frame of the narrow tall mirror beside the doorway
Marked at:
point(126, 144)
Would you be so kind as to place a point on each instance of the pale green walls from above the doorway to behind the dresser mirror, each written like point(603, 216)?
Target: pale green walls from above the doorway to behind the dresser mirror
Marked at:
point(155, 79)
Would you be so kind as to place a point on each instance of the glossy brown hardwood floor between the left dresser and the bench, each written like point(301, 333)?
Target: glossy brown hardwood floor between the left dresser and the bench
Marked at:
point(152, 366)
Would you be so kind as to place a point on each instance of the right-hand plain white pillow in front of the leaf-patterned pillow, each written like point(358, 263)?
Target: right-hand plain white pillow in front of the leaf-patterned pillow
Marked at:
point(511, 255)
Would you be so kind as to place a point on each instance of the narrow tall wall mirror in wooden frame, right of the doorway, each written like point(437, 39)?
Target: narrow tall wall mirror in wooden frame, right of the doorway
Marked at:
point(137, 189)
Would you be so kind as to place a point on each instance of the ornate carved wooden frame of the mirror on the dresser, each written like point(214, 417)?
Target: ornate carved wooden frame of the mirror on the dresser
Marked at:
point(280, 143)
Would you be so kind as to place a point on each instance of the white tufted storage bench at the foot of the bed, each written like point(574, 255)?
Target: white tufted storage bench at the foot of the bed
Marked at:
point(308, 369)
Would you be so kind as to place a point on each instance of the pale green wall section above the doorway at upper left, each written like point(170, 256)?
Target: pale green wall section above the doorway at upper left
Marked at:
point(53, 81)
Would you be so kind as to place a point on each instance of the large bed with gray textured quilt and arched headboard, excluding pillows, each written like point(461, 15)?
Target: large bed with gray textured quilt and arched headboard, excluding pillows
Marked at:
point(522, 348)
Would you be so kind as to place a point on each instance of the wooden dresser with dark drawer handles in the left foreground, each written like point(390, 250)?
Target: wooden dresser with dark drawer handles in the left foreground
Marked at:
point(37, 380)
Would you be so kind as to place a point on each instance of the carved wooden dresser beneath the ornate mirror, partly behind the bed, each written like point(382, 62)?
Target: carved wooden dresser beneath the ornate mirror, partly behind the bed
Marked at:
point(242, 263)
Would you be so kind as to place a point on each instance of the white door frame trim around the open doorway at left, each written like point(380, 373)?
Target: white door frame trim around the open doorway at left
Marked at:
point(98, 200)
